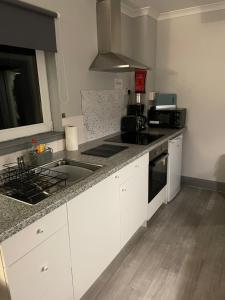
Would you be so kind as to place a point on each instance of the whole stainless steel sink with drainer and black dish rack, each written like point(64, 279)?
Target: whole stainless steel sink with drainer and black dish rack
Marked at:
point(32, 185)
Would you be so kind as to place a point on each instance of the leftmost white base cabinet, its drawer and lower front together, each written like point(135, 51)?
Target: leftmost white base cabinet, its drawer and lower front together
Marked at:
point(44, 272)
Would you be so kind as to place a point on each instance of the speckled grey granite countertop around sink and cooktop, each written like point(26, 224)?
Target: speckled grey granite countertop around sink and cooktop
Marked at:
point(14, 215)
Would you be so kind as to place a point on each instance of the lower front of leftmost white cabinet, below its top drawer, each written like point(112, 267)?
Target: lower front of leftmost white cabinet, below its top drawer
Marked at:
point(43, 271)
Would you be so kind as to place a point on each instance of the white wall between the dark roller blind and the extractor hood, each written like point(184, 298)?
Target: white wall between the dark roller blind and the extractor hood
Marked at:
point(77, 45)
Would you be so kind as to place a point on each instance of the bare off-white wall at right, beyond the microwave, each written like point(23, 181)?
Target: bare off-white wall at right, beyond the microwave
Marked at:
point(191, 62)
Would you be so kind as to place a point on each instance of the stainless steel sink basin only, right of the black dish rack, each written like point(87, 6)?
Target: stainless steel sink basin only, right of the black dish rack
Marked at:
point(74, 170)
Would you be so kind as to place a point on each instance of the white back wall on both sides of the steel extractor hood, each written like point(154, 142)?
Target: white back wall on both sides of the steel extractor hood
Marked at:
point(77, 45)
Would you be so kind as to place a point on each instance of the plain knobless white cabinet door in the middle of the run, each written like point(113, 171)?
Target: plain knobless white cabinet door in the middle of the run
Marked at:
point(94, 226)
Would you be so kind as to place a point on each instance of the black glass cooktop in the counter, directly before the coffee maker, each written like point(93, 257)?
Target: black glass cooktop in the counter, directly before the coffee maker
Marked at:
point(136, 138)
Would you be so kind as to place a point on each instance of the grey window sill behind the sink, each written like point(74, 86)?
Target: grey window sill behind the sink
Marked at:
point(19, 144)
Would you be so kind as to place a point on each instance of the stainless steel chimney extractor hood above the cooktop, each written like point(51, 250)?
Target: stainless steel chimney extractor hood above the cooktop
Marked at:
point(109, 58)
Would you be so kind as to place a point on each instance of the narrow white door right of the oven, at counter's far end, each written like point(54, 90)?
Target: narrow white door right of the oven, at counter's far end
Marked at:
point(174, 166)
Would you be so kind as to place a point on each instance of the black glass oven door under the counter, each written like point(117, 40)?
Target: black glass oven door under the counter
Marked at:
point(157, 175)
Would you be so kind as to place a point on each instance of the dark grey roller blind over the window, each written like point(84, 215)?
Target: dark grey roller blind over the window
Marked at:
point(27, 26)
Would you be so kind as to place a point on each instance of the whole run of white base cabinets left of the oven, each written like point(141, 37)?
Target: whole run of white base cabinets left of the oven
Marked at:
point(61, 255)
